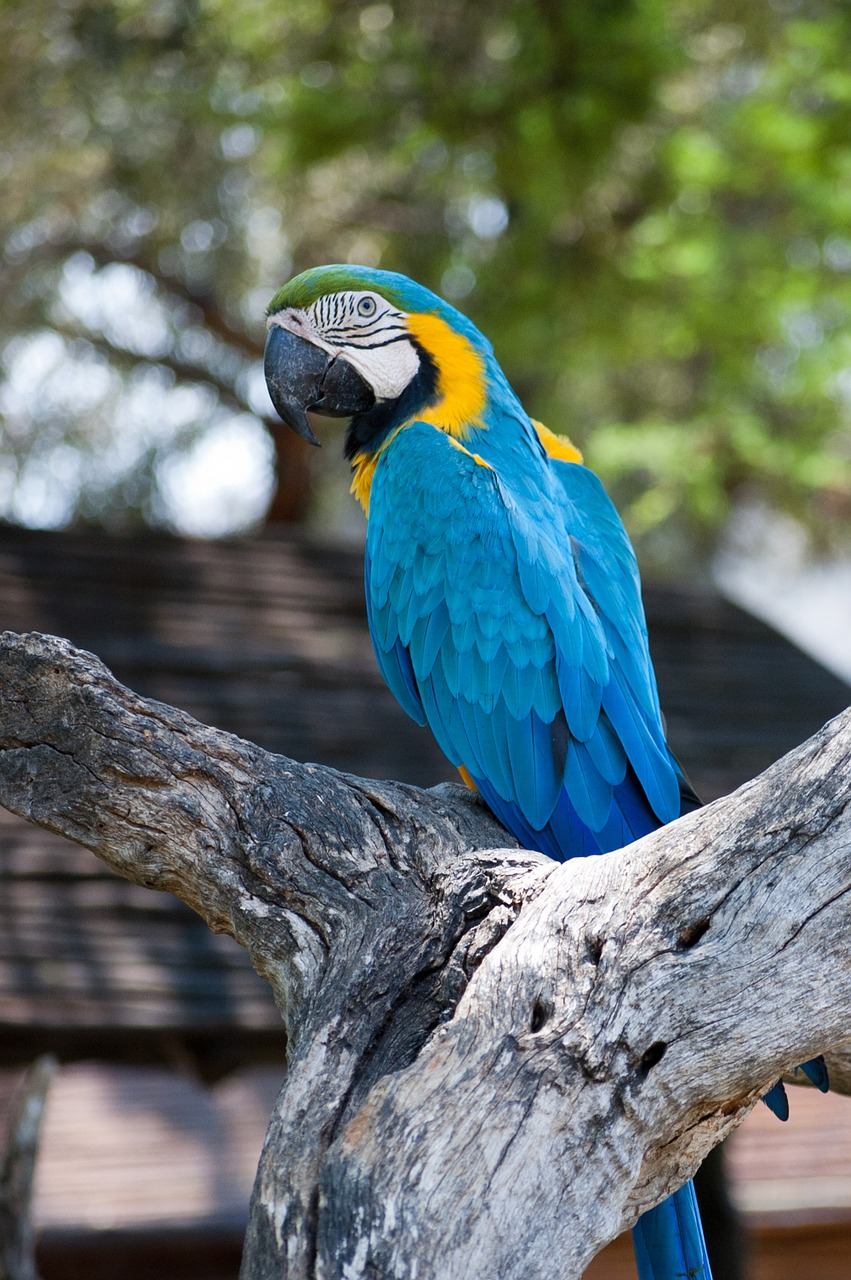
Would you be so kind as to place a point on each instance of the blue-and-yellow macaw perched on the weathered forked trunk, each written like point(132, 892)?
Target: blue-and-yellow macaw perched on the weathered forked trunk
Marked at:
point(502, 591)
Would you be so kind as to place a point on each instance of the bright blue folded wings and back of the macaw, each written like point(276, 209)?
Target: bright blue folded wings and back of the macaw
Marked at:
point(516, 630)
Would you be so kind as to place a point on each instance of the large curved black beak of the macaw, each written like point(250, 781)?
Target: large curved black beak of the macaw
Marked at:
point(301, 377)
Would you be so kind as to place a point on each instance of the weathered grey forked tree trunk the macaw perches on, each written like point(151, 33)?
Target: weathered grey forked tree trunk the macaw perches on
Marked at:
point(495, 1062)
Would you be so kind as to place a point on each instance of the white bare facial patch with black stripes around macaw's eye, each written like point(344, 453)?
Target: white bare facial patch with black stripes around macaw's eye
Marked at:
point(365, 331)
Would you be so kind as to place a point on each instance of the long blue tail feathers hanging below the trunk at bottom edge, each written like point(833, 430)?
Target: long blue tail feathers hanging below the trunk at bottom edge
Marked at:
point(669, 1241)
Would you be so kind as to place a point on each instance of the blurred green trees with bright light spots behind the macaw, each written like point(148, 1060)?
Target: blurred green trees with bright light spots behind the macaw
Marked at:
point(646, 204)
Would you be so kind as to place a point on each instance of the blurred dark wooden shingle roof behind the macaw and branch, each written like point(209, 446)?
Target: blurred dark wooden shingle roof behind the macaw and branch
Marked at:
point(267, 638)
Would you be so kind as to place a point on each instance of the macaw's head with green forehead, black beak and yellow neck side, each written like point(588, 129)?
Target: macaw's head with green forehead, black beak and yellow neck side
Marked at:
point(377, 349)
